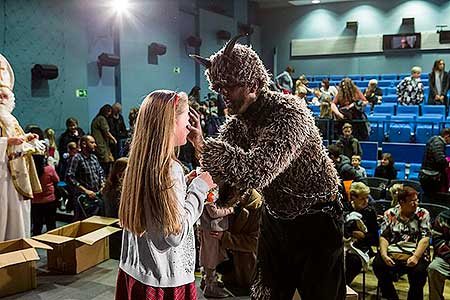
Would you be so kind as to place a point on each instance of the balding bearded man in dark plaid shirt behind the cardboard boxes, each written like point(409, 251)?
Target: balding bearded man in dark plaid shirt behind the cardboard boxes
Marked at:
point(85, 175)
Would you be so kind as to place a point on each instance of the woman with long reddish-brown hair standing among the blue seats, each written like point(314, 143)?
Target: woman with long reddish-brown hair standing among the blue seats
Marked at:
point(351, 109)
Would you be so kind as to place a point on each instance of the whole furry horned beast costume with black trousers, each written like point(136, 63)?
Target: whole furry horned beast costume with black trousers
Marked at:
point(275, 147)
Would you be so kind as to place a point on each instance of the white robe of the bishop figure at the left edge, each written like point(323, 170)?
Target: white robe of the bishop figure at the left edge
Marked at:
point(15, 213)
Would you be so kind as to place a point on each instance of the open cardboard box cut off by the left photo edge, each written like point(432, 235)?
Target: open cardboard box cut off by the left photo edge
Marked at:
point(18, 265)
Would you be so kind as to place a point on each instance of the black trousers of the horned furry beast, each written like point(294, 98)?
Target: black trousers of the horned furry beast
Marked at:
point(304, 254)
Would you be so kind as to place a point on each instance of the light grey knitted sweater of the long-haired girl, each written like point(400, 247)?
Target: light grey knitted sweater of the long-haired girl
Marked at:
point(160, 261)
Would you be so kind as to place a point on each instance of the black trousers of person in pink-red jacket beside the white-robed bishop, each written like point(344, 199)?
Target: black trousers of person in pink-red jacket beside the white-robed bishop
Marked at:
point(43, 213)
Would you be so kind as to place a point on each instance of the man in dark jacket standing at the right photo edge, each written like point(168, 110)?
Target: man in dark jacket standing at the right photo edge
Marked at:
point(433, 177)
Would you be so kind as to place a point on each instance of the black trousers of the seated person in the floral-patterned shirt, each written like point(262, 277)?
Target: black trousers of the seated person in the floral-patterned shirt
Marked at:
point(417, 277)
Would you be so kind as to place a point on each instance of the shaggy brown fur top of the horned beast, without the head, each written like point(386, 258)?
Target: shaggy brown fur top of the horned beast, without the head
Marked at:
point(274, 147)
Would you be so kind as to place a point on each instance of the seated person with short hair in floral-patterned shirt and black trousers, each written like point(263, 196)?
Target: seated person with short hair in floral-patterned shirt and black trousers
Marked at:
point(404, 242)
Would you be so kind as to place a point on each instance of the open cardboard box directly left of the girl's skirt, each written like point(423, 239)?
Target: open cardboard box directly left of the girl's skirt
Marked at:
point(79, 246)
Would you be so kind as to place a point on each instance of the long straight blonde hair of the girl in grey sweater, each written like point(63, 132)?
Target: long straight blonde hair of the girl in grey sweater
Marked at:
point(147, 197)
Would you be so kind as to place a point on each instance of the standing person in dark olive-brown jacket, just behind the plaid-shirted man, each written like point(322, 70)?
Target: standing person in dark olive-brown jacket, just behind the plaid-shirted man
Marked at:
point(101, 133)
